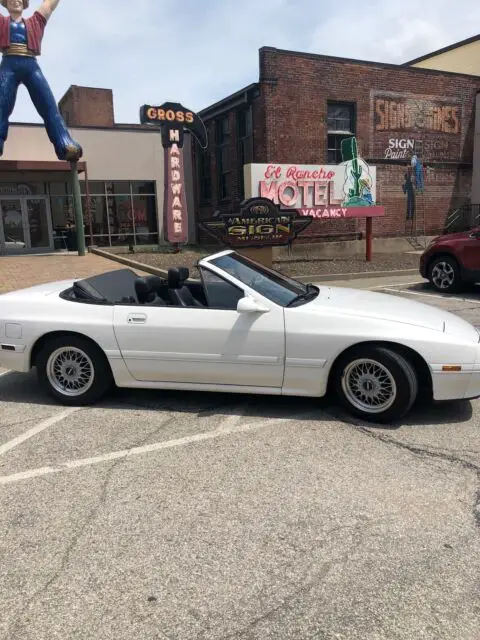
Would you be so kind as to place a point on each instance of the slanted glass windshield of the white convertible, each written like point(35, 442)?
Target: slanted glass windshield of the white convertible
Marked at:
point(273, 285)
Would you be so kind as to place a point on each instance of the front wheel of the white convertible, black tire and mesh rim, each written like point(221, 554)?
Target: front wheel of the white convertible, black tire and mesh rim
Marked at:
point(391, 374)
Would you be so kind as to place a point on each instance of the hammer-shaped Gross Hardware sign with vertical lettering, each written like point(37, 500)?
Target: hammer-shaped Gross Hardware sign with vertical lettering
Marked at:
point(173, 119)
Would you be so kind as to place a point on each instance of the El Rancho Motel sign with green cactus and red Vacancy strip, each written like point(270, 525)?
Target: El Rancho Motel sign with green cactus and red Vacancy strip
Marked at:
point(322, 192)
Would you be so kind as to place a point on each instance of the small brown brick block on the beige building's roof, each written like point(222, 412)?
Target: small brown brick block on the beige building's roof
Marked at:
point(87, 107)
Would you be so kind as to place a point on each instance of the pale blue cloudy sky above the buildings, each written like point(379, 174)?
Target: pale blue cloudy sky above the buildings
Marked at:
point(150, 51)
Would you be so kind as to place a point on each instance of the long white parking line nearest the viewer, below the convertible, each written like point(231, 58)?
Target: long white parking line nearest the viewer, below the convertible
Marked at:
point(223, 430)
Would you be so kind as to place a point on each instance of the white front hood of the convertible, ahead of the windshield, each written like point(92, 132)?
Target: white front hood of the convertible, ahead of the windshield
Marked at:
point(391, 308)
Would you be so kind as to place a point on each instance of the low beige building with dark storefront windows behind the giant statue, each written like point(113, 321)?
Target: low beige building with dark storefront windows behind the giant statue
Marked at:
point(122, 184)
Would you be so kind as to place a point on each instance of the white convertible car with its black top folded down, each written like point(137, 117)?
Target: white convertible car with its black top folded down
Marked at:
point(242, 328)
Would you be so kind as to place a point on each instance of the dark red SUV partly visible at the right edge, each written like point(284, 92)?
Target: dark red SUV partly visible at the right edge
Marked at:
point(452, 260)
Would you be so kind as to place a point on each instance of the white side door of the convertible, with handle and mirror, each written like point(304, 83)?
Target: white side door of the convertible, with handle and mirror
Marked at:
point(213, 345)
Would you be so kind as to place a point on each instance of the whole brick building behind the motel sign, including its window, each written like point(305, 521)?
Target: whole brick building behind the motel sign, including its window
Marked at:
point(304, 105)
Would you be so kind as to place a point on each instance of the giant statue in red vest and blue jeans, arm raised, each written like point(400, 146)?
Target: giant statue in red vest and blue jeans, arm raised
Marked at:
point(20, 43)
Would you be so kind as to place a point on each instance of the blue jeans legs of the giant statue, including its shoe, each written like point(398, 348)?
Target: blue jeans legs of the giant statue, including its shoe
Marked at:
point(16, 70)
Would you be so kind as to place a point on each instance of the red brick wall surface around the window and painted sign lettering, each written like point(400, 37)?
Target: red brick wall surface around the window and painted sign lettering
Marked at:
point(290, 126)
